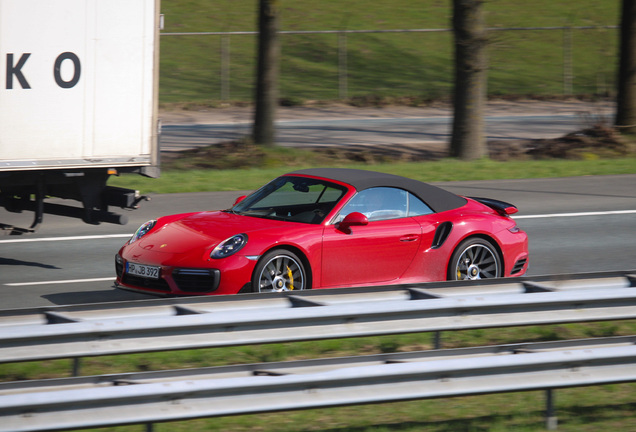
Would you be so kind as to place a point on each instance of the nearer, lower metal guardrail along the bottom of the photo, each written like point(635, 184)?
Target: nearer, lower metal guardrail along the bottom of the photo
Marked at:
point(177, 395)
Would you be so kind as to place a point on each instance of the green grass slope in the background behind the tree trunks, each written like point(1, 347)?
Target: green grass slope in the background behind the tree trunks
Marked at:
point(528, 62)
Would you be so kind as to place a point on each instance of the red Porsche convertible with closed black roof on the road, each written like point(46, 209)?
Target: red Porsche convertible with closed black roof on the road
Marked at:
point(324, 228)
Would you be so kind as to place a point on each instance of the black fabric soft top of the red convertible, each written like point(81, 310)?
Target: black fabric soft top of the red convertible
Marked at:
point(438, 199)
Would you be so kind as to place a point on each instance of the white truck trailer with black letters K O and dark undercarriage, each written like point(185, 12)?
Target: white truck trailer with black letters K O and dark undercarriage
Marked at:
point(78, 103)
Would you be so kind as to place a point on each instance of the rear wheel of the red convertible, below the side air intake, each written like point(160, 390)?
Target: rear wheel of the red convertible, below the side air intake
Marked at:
point(475, 258)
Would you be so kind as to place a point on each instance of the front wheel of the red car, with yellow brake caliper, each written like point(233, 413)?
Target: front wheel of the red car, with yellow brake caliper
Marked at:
point(279, 270)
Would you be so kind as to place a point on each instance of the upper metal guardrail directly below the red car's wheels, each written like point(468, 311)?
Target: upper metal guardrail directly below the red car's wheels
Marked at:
point(311, 315)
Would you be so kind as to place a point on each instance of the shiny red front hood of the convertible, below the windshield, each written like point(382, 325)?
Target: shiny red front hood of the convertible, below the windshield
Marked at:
point(201, 230)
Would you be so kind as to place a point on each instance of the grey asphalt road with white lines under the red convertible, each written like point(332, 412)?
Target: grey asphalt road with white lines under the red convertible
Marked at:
point(575, 225)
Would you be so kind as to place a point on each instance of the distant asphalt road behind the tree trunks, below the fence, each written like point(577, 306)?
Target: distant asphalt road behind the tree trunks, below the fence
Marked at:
point(369, 131)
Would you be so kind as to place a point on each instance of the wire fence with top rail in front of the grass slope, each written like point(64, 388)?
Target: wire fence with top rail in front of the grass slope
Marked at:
point(345, 64)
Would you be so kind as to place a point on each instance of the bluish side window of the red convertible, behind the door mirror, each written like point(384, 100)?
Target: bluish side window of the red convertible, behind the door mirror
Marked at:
point(379, 203)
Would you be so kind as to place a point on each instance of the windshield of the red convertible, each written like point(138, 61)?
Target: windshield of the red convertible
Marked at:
point(295, 199)
